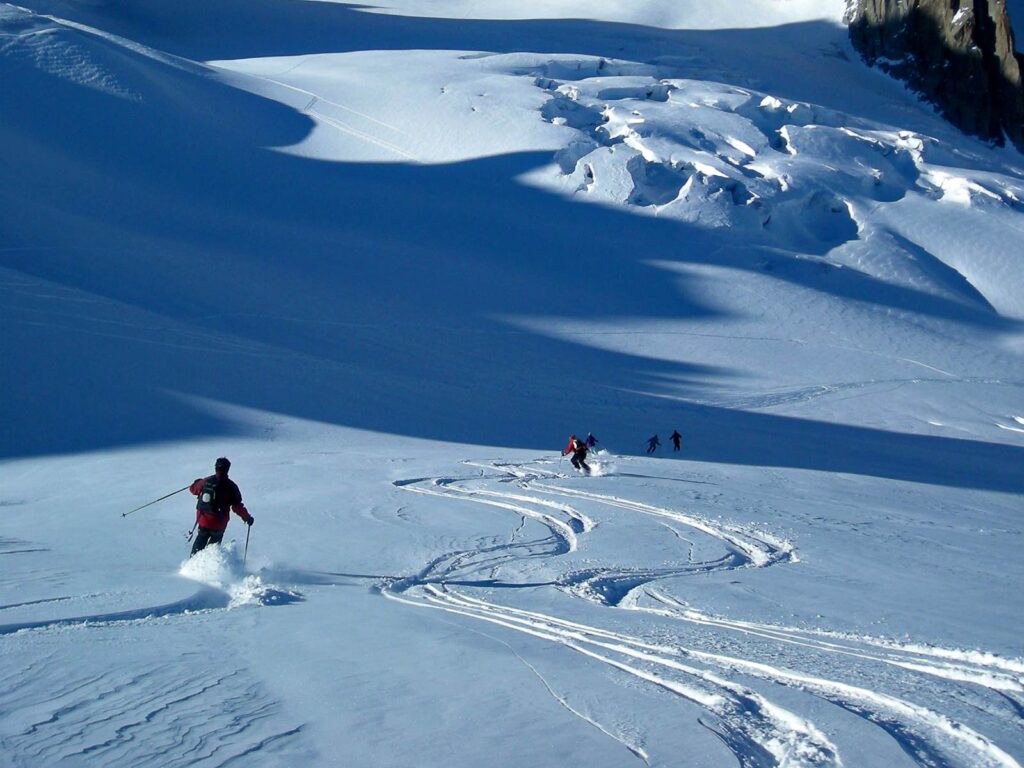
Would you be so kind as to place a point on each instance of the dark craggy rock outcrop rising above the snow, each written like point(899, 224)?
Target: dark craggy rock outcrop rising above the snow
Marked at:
point(960, 55)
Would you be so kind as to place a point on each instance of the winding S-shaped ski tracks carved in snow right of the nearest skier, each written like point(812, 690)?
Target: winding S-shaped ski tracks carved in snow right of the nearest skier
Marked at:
point(758, 732)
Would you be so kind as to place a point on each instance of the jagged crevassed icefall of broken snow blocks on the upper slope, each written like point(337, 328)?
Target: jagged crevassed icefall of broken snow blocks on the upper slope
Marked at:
point(786, 175)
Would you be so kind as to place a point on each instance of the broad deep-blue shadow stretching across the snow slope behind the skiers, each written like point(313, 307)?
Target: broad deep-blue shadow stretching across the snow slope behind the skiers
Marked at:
point(184, 258)
